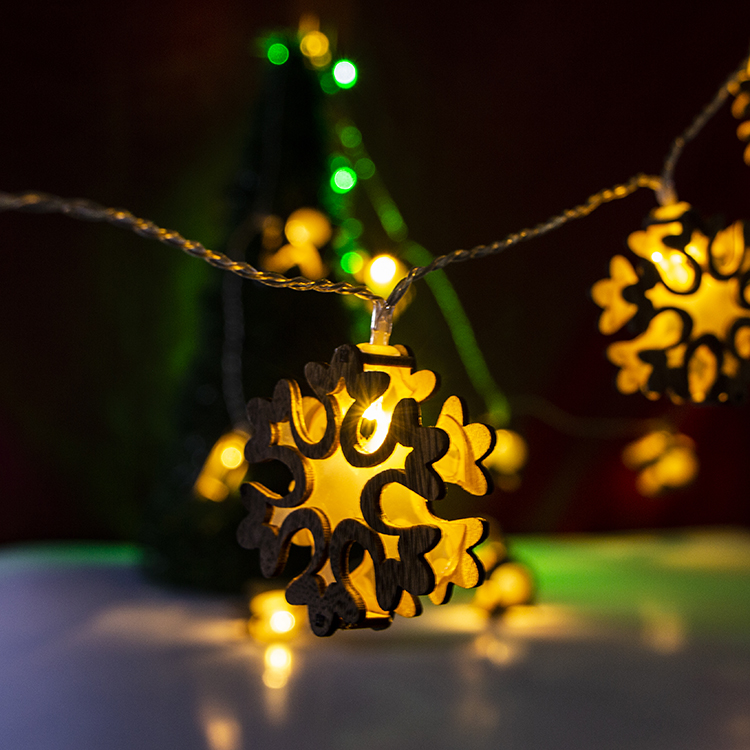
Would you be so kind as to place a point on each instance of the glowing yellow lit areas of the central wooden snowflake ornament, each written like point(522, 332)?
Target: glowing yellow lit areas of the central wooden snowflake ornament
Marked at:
point(337, 485)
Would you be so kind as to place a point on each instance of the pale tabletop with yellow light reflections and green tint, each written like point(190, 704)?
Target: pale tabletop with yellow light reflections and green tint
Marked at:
point(93, 656)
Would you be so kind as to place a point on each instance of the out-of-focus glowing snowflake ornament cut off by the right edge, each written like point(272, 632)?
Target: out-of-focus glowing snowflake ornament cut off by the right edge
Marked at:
point(688, 303)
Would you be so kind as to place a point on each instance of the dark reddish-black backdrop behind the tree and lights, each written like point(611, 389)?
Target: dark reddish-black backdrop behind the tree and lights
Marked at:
point(482, 118)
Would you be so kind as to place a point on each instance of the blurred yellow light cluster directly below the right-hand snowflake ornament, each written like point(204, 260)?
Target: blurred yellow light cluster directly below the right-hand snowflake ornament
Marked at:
point(664, 460)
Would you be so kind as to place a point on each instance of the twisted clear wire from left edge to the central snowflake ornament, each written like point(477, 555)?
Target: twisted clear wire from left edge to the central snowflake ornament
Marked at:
point(87, 210)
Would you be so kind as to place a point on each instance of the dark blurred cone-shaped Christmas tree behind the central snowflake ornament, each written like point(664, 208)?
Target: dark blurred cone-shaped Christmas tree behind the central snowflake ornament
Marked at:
point(251, 334)
